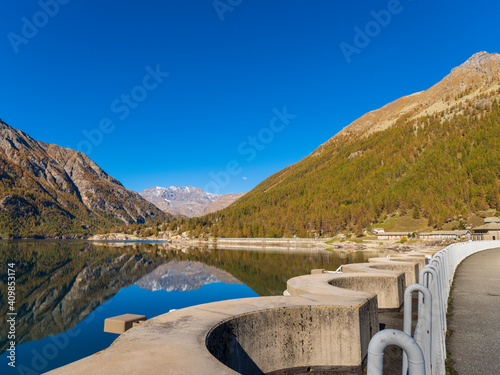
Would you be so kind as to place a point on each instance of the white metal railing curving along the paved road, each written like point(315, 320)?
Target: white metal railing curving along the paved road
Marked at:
point(435, 281)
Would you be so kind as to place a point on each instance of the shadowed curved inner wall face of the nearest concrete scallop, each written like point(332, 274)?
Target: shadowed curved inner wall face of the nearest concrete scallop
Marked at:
point(297, 339)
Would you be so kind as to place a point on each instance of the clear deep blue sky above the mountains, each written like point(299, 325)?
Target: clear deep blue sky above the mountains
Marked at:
point(100, 68)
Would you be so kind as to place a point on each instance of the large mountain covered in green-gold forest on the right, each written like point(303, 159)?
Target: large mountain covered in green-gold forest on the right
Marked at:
point(433, 155)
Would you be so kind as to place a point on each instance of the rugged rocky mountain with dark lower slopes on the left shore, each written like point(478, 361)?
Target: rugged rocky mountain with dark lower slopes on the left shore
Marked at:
point(50, 191)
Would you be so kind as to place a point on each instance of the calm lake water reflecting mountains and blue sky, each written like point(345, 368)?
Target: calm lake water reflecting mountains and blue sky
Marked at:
point(65, 290)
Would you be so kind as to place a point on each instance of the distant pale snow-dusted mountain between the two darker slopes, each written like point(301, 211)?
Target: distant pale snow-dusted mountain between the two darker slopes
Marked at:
point(187, 200)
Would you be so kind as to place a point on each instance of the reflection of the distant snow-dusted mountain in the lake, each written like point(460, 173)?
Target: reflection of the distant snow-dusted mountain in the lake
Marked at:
point(184, 276)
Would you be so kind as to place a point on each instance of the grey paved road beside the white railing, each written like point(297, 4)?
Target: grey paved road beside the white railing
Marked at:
point(475, 342)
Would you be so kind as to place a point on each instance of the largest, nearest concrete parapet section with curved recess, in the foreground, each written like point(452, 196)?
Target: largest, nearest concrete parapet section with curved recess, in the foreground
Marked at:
point(308, 333)
